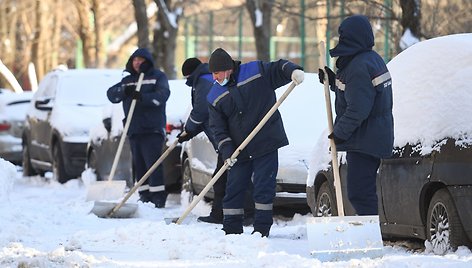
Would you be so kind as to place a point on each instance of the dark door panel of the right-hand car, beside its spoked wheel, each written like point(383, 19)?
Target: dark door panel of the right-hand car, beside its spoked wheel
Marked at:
point(401, 179)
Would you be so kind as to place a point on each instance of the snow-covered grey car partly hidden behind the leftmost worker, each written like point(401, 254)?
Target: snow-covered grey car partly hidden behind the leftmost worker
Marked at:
point(105, 137)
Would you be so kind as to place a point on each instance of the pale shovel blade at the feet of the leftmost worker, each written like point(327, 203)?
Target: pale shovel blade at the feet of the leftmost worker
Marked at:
point(106, 190)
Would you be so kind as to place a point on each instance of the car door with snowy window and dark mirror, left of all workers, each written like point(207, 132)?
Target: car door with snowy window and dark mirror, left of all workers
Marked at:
point(39, 121)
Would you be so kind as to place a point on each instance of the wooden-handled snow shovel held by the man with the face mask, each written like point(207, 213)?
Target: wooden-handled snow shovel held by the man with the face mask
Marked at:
point(233, 157)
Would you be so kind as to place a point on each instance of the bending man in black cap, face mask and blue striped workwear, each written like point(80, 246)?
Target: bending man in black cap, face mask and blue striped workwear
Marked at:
point(240, 98)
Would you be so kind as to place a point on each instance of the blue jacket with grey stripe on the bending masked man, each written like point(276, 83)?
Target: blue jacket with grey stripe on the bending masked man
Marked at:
point(239, 106)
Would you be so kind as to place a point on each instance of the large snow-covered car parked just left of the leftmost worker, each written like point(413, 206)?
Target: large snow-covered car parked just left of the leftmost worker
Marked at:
point(65, 106)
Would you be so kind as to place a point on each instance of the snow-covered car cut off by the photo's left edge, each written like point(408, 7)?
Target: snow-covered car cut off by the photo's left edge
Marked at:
point(12, 117)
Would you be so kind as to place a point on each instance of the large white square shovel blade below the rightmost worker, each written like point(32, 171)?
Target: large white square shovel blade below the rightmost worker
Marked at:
point(343, 238)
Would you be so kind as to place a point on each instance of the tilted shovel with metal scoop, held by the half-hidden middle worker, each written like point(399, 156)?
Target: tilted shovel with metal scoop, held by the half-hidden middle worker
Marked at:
point(122, 210)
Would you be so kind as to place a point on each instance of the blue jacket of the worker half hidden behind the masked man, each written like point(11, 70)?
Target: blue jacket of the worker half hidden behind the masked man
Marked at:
point(201, 80)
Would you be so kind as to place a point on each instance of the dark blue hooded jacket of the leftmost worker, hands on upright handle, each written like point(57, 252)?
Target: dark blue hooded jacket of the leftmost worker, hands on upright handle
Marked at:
point(150, 111)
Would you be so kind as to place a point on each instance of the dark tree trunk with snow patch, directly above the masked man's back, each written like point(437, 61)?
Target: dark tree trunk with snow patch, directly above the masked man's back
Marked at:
point(262, 29)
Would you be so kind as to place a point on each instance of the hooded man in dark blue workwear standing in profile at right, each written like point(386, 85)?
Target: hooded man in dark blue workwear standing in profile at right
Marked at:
point(364, 121)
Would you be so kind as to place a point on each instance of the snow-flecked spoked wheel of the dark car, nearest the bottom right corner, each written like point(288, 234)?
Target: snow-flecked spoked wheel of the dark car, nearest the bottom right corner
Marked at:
point(444, 229)
